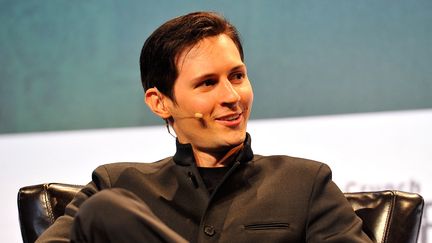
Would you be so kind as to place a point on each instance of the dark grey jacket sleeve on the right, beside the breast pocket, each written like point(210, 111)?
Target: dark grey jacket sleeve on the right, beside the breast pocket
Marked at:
point(331, 217)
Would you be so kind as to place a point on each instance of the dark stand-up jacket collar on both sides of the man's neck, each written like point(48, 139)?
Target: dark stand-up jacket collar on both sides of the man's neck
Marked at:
point(184, 154)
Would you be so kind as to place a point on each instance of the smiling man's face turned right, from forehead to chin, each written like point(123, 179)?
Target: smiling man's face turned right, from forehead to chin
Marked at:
point(212, 81)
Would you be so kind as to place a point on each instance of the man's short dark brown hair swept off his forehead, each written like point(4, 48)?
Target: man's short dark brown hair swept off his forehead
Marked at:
point(161, 49)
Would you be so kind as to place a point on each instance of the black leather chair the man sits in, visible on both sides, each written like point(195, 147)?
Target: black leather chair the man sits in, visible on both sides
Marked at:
point(388, 216)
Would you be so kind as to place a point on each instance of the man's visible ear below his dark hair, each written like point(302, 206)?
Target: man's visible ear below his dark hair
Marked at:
point(155, 100)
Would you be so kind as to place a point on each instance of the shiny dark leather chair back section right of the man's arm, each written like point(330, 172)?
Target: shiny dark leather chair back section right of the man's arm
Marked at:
point(389, 216)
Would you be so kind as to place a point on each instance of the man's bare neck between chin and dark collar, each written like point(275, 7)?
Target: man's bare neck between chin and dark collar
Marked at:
point(221, 159)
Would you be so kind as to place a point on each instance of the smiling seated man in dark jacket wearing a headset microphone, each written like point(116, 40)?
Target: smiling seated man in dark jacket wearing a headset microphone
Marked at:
point(214, 189)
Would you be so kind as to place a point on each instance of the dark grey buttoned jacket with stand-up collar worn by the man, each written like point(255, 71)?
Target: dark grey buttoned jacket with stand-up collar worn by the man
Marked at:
point(260, 199)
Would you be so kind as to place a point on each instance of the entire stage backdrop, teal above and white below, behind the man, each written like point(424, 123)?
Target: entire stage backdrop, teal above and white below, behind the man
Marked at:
point(344, 82)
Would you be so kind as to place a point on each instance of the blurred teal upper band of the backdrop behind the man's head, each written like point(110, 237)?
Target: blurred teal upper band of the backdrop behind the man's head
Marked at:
point(68, 65)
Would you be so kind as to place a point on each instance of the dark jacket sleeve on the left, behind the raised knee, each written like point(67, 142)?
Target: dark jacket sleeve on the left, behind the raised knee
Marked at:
point(60, 230)
